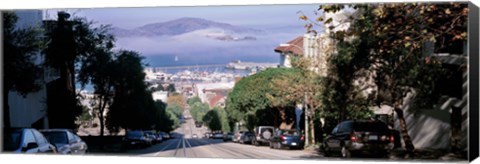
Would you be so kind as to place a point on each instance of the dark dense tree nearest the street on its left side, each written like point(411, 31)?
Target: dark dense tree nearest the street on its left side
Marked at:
point(132, 103)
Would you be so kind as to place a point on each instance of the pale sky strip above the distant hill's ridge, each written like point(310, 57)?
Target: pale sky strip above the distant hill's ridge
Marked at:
point(248, 15)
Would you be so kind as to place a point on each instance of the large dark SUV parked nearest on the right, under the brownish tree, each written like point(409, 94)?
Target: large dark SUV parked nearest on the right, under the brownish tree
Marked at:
point(359, 136)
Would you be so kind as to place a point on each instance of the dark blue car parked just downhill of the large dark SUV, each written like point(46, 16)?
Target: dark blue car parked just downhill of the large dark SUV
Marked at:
point(287, 138)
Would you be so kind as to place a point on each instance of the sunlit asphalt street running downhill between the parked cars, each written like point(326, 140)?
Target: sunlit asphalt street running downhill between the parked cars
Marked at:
point(183, 145)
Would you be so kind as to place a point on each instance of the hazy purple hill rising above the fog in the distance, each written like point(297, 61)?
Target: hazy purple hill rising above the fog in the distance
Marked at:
point(184, 26)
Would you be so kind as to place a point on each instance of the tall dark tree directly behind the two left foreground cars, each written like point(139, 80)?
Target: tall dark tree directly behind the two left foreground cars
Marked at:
point(68, 41)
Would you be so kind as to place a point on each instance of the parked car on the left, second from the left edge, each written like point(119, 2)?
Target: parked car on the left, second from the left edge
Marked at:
point(65, 141)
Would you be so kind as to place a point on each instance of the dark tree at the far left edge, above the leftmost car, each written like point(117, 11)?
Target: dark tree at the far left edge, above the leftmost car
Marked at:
point(21, 47)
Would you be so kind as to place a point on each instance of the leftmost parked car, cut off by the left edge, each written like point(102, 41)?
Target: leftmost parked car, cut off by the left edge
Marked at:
point(26, 140)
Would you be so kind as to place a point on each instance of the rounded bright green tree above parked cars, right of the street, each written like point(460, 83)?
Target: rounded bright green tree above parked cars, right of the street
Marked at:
point(252, 93)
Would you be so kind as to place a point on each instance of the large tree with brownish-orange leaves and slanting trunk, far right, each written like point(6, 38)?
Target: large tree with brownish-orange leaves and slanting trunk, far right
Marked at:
point(391, 39)
